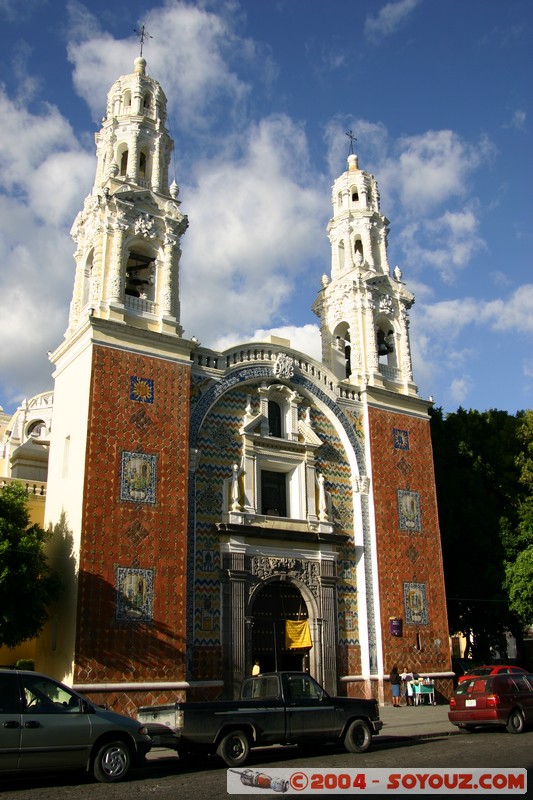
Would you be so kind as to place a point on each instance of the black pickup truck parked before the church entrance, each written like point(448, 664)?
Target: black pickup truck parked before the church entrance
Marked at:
point(275, 708)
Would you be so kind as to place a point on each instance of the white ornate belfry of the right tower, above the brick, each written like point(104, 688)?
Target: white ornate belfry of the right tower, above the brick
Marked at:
point(363, 309)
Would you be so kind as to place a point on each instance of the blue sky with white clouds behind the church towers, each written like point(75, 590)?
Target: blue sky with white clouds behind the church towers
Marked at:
point(260, 96)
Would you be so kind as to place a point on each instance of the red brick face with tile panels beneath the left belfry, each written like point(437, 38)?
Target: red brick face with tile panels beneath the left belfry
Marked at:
point(132, 585)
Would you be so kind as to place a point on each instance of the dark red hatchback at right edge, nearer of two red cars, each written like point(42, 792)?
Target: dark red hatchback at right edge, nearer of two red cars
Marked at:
point(501, 699)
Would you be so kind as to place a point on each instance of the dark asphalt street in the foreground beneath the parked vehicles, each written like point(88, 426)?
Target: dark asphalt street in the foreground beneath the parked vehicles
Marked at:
point(164, 777)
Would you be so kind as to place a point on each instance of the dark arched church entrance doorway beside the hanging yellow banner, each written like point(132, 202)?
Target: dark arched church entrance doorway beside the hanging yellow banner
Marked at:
point(277, 602)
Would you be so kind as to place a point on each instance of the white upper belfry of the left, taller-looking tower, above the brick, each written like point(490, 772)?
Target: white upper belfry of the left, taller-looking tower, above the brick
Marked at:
point(128, 233)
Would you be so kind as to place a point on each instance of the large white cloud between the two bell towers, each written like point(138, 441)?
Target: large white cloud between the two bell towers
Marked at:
point(257, 222)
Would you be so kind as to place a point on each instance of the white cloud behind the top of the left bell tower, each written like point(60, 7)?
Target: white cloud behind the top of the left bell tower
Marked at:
point(192, 60)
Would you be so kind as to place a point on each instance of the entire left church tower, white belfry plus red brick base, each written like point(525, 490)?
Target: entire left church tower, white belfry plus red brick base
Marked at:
point(118, 466)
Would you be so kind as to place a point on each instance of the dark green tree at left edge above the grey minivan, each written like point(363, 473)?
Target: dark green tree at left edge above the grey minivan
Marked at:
point(28, 585)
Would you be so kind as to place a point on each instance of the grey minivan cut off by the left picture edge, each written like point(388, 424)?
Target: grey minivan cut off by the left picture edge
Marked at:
point(47, 726)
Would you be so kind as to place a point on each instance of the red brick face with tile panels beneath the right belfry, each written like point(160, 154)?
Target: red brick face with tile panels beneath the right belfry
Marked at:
point(411, 579)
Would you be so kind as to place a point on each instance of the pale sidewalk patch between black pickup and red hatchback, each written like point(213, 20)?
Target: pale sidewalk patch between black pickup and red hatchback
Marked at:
point(416, 721)
